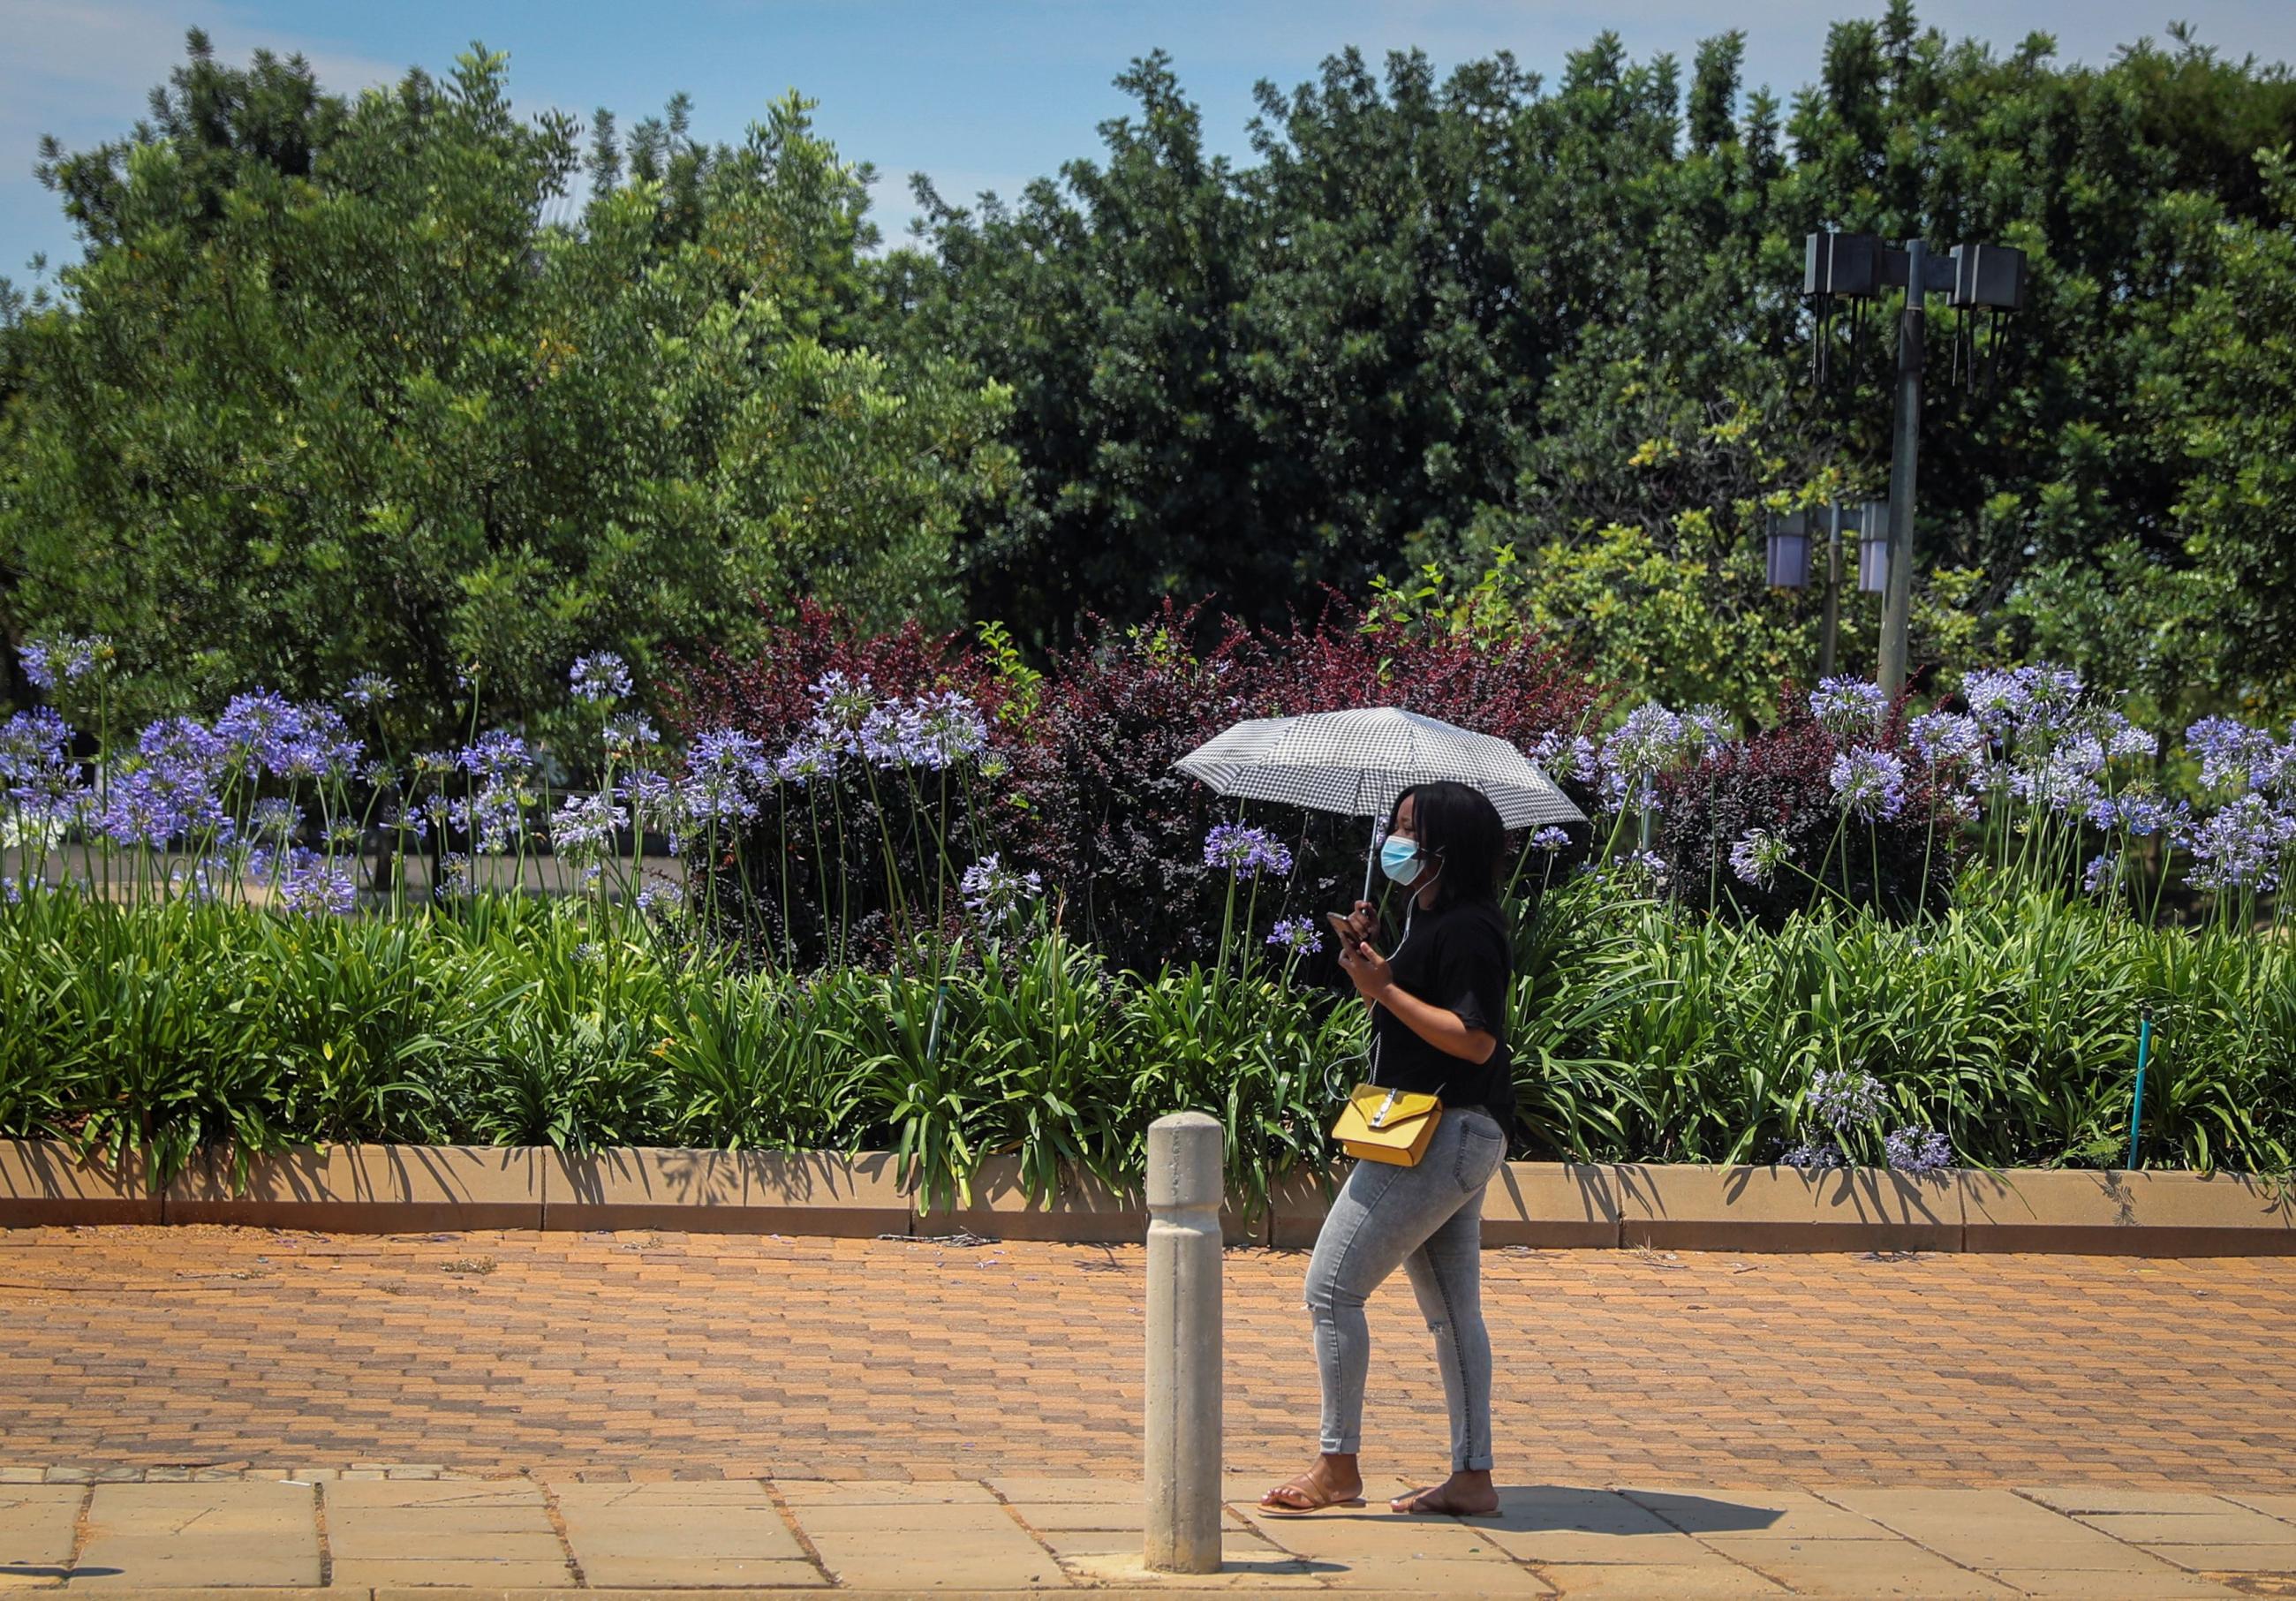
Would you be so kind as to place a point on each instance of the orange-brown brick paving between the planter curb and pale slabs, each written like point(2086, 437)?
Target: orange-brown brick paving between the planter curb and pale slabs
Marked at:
point(667, 1356)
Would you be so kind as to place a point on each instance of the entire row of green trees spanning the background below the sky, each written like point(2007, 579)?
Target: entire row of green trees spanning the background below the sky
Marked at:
point(350, 385)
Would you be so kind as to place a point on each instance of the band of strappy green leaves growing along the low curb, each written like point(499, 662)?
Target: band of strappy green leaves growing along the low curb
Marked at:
point(1640, 1035)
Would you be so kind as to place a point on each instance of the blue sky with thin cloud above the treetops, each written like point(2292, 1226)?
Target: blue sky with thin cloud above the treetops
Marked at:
point(977, 93)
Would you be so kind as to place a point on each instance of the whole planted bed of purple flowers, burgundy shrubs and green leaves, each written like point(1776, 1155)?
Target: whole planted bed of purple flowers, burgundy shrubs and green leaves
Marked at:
point(956, 911)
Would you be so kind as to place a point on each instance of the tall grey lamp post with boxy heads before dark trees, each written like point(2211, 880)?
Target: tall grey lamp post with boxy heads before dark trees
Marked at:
point(1859, 268)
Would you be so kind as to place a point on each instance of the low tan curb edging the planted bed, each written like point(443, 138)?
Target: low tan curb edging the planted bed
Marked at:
point(812, 1193)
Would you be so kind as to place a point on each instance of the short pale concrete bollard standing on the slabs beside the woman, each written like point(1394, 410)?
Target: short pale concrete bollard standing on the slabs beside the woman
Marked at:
point(1184, 1345)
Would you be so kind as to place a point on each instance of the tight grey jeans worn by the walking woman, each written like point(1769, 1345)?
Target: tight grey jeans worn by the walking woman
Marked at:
point(1427, 1219)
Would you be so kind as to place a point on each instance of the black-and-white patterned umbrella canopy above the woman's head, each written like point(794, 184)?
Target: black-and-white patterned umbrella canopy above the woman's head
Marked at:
point(1360, 761)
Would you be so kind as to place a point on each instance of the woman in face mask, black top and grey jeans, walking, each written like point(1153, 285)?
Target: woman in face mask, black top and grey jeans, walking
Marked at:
point(1438, 1026)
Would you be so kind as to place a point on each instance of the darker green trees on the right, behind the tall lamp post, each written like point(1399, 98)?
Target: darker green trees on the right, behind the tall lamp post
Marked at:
point(1445, 318)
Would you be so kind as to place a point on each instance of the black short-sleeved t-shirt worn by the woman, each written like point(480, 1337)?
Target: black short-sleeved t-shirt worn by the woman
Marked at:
point(1457, 959)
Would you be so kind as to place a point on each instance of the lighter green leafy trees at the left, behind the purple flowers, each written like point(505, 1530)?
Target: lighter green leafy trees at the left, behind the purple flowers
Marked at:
point(334, 394)
